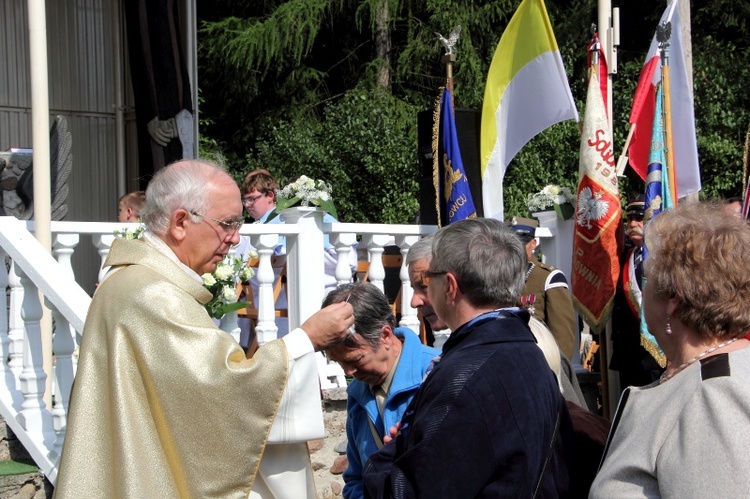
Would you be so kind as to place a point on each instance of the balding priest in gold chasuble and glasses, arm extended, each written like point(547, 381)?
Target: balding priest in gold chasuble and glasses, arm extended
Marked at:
point(165, 403)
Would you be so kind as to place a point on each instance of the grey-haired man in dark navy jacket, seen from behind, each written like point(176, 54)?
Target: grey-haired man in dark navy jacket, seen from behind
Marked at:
point(489, 419)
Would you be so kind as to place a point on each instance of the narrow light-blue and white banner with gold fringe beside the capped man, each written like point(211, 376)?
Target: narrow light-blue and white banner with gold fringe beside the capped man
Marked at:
point(658, 198)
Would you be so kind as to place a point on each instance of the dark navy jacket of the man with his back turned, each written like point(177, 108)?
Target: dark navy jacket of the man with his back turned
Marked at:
point(483, 424)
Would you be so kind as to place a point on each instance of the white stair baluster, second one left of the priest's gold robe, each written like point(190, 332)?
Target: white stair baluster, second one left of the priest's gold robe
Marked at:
point(33, 416)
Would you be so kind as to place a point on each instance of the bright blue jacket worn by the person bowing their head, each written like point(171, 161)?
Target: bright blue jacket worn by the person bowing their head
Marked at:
point(361, 406)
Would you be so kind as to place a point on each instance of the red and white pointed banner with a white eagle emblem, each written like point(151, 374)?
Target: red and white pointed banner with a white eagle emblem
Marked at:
point(596, 265)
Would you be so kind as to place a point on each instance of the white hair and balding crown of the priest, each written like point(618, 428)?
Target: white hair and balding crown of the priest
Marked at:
point(180, 185)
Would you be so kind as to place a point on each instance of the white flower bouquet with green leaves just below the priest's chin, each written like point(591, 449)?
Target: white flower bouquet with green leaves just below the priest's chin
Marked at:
point(222, 283)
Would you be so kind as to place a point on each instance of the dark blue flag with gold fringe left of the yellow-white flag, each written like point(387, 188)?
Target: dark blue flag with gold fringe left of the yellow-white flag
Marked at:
point(453, 189)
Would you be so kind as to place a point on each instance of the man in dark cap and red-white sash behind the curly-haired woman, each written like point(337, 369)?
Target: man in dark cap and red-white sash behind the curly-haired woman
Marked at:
point(635, 364)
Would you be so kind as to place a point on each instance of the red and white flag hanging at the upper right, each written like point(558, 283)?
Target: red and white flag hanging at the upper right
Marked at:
point(683, 118)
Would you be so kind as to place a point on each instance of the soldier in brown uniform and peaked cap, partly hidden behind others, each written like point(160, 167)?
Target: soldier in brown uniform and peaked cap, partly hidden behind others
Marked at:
point(546, 293)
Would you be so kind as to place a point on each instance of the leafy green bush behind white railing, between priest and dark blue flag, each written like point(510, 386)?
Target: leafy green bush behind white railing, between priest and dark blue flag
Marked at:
point(364, 147)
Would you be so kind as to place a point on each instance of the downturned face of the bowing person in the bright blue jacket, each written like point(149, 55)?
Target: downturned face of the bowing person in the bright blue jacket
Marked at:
point(364, 363)
